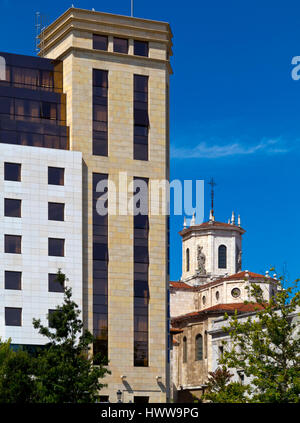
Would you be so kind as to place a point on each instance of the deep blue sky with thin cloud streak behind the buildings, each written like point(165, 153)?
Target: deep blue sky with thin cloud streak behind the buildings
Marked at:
point(235, 110)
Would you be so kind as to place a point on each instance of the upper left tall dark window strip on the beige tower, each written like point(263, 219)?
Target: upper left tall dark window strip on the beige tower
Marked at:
point(100, 112)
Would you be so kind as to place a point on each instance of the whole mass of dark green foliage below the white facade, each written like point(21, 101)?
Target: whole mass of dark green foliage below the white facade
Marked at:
point(63, 371)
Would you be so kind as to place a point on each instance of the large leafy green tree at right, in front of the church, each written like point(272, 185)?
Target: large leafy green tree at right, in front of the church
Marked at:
point(266, 347)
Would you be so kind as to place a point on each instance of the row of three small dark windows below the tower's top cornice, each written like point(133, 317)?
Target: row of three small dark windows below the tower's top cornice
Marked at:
point(120, 45)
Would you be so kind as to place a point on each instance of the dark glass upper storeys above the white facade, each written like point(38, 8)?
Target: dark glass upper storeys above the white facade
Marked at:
point(32, 105)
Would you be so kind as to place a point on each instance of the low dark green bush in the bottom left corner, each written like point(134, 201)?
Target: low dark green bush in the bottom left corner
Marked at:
point(17, 383)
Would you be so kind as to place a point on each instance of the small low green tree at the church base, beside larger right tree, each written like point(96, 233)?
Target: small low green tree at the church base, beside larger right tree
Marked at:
point(221, 389)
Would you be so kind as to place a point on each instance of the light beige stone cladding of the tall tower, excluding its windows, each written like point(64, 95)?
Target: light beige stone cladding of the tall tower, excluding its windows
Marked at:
point(69, 39)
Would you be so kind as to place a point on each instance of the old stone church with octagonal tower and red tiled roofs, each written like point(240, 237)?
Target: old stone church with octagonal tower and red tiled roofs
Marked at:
point(211, 284)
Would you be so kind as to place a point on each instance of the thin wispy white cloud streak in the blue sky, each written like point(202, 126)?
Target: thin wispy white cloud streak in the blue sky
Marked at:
point(207, 150)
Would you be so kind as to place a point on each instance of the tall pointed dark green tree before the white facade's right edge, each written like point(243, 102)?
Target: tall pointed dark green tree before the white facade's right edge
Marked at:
point(65, 371)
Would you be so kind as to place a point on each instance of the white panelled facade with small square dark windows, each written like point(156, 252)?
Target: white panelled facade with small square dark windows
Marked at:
point(32, 260)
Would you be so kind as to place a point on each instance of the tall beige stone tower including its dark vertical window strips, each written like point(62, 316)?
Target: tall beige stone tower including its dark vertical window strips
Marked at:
point(116, 79)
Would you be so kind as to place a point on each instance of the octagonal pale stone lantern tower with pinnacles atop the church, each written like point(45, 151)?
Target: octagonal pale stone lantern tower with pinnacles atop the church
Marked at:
point(211, 250)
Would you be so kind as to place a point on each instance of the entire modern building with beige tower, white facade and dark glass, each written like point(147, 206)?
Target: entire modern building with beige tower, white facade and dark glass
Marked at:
point(94, 105)
